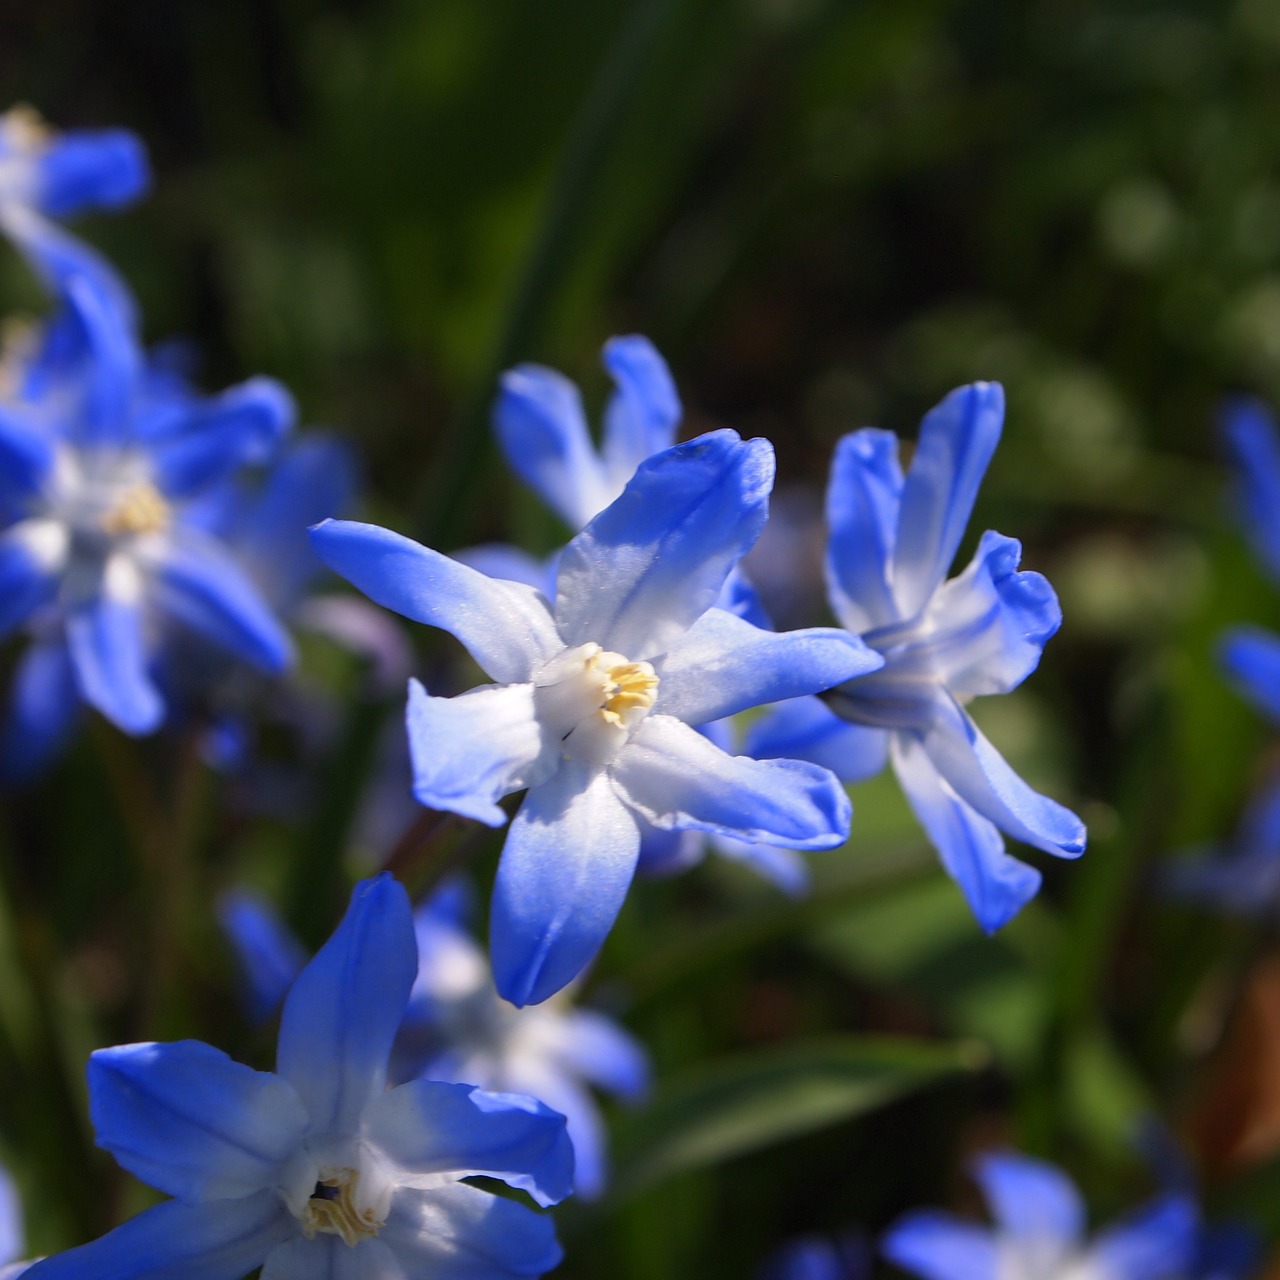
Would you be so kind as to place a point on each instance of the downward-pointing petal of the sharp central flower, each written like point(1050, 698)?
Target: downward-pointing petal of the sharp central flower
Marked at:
point(564, 874)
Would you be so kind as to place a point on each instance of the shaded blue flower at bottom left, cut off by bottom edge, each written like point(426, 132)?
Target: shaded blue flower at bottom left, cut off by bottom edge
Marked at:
point(319, 1169)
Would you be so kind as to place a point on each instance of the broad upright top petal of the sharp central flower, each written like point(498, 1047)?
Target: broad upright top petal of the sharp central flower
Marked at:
point(655, 561)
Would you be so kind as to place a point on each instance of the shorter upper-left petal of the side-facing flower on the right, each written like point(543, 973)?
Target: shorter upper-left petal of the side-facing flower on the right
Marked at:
point(863, 499)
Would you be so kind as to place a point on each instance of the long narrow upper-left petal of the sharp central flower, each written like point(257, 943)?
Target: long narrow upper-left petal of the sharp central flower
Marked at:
point(505, 627)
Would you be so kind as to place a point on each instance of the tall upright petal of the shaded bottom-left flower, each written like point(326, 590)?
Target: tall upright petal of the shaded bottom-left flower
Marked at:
point(342, 1014)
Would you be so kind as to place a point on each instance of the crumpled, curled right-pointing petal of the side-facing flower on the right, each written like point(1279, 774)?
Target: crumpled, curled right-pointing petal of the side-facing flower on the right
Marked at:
point(991, 624)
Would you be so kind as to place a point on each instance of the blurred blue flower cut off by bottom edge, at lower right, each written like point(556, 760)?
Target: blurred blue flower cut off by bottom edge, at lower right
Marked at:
point(1040, 1233)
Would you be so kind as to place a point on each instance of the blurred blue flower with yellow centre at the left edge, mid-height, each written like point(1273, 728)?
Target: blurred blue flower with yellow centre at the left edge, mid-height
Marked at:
point(106, 484)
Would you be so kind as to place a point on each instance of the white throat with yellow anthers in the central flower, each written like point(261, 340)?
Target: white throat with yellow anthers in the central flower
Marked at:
point(593, 700)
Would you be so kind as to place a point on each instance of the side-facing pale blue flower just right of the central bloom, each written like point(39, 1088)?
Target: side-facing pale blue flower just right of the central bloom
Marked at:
point(944, 642)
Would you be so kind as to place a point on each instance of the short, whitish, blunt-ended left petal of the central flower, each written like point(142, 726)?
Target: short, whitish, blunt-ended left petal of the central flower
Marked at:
point(472, 751)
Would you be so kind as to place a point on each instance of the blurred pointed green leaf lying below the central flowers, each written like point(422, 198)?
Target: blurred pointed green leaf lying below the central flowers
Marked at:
point(764, 1098)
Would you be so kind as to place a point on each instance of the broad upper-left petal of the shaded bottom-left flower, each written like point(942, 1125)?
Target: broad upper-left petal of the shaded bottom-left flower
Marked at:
point(193, 1123)
